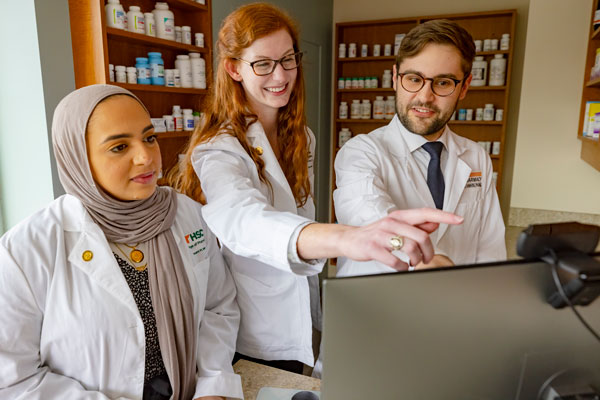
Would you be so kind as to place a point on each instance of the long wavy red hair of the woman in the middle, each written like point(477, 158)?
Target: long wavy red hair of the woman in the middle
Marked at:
point(227, 109)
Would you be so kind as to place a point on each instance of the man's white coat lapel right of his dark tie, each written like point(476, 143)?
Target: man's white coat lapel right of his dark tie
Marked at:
point(456, 173)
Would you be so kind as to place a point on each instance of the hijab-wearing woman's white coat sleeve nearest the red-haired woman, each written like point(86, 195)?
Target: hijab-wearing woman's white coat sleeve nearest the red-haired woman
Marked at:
point(218, 332)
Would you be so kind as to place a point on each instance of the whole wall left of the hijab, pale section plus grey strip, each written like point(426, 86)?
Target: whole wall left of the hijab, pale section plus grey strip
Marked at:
point(32, 86)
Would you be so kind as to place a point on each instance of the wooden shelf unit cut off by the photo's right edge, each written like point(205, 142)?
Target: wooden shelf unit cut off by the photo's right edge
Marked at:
point(590, 148)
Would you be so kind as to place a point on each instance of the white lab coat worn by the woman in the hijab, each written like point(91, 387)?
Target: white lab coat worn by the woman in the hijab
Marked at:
point(70, 329)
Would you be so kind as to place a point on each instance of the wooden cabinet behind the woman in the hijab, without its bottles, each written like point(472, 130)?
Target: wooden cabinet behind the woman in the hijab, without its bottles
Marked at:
point(95, 46)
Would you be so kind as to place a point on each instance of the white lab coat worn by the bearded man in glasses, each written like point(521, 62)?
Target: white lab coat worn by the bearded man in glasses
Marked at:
point(376, 174)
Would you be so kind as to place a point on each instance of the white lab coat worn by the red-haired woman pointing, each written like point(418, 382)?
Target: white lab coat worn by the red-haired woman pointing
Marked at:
point(255, 228)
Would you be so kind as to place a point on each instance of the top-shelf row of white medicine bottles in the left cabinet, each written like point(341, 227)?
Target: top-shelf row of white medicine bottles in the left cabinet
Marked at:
point(158, 23)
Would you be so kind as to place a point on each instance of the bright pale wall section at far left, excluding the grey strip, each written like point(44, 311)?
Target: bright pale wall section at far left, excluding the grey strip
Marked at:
point(25, 172)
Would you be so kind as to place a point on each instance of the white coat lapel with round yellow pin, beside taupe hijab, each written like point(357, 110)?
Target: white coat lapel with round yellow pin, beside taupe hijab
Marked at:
point(102, 268)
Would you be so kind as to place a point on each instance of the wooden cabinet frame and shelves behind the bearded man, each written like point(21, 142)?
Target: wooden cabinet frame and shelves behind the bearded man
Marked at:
point(481, 25)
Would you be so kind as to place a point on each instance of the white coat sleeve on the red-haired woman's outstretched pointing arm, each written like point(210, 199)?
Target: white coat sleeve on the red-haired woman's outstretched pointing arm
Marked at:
point(241, 216)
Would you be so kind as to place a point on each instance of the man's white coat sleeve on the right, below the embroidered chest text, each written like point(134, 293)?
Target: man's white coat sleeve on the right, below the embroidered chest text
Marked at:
point(492, 246)
